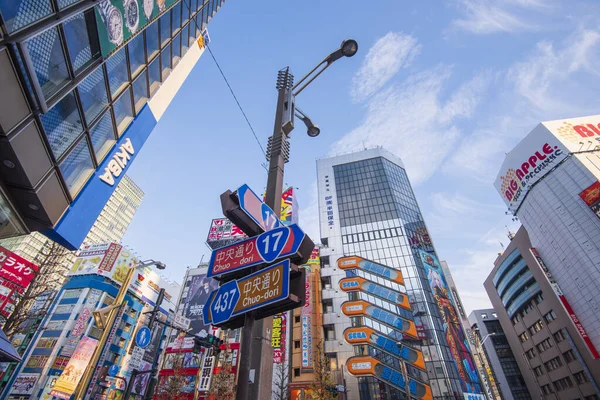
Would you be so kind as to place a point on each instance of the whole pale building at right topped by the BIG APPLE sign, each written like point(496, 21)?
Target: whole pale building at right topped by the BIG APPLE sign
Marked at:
point(551, 182)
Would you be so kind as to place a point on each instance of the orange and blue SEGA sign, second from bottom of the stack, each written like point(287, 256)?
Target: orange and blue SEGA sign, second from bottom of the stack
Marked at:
point(364, 335)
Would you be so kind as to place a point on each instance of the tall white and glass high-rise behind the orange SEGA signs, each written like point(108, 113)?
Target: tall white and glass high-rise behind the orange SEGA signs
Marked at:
point(367, 208)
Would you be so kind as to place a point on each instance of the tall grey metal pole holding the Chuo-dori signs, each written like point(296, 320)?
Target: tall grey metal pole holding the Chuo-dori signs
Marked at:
point(262, 358)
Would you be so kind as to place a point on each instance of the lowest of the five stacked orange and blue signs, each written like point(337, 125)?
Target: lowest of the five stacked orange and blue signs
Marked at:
point(369, 366)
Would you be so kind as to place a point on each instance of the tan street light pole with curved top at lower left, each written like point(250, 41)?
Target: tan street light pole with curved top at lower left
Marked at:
point(112, 316)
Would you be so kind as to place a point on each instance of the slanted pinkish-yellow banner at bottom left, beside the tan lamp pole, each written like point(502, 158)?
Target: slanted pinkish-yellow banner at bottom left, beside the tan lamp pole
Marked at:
point(68, 380)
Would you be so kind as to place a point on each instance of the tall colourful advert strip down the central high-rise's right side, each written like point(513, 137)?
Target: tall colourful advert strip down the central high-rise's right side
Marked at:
point(455, 336)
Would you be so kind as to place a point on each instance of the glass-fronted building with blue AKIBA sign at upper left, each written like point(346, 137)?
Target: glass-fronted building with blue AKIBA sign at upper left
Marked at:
point(83, 85)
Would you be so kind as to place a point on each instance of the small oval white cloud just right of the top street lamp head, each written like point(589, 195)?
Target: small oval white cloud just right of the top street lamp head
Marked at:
point(384, 59)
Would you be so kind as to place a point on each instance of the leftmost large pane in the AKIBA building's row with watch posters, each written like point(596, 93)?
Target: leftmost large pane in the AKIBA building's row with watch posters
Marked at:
point(48, 61)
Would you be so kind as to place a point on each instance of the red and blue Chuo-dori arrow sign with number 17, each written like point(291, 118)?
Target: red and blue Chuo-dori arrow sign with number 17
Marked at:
point(282, 242)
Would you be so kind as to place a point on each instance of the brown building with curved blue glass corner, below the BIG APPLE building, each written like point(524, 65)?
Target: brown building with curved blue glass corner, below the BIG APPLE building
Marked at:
point(552, 351)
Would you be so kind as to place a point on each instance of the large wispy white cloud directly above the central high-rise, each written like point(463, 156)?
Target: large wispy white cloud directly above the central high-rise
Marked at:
point(412, 120)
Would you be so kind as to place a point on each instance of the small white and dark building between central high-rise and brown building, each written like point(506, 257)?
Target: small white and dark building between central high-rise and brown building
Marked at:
point(496, 357)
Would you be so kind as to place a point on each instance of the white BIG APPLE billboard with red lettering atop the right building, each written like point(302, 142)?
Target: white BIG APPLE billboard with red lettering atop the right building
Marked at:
point(540, 151)
